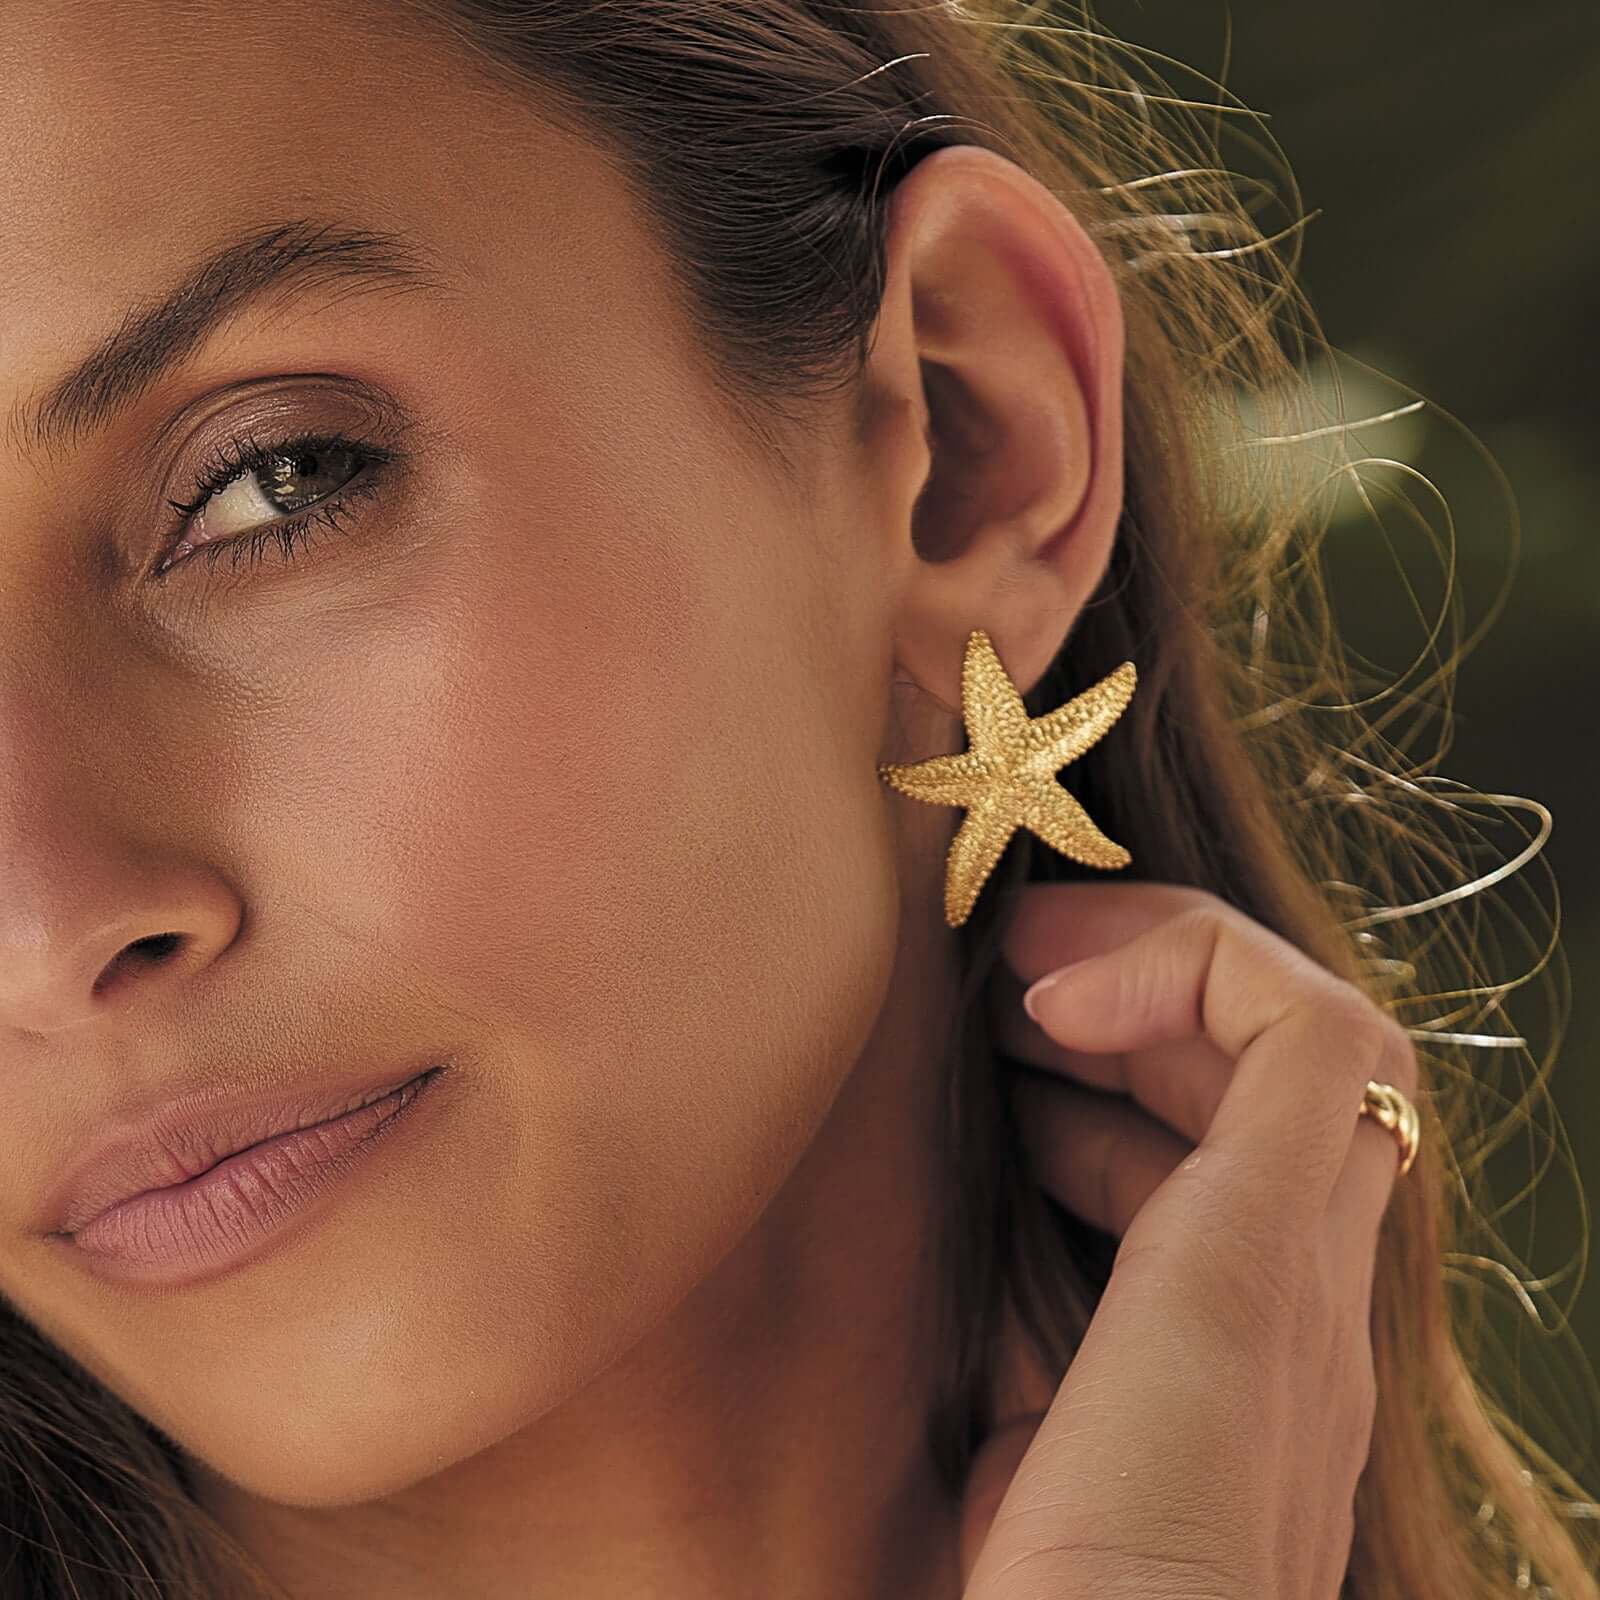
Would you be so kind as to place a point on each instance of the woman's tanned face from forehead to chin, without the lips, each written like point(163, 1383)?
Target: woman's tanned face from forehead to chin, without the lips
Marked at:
point(554, 756)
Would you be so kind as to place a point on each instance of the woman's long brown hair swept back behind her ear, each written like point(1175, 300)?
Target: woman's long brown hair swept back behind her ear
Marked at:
point(762, 138)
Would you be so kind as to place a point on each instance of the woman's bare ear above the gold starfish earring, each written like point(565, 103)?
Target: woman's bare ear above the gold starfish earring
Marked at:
point(996, 417)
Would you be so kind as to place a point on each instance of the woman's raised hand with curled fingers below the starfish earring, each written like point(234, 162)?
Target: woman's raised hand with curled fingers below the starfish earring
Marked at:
point(1214, 1423)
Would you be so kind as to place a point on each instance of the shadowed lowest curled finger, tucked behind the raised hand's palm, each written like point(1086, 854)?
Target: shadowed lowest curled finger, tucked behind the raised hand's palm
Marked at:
point(1098, 1154)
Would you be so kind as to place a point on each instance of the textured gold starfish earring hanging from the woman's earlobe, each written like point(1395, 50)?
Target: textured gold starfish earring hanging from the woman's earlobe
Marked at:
point(1007, 774)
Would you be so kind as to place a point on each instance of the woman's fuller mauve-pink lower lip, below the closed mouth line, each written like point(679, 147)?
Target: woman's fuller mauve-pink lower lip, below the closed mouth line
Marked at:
point(233, 1212)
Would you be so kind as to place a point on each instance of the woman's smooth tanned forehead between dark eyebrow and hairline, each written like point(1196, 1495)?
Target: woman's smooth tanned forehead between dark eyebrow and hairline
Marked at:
point(135, 135)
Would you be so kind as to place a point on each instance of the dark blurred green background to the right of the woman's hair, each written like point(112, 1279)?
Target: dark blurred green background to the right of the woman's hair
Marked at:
point(1450, 151)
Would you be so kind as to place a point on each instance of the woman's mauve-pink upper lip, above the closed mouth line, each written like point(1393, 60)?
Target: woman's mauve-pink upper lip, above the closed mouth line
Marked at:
point(180, 1138)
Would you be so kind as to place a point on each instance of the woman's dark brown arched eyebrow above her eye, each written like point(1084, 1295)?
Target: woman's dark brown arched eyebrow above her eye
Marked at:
point(156, 337)
